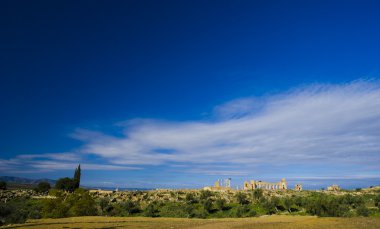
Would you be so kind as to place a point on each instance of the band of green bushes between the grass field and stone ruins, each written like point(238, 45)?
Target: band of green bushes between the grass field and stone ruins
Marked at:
point(205, 205)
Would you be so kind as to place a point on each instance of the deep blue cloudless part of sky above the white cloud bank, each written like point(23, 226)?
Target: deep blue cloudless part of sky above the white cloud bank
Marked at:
point(89, 64)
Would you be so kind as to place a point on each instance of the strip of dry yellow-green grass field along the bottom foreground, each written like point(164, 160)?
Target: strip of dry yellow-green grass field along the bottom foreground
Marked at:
point(156, 223)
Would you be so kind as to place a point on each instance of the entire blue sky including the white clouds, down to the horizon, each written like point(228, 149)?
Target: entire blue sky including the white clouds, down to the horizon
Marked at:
point(181, 93)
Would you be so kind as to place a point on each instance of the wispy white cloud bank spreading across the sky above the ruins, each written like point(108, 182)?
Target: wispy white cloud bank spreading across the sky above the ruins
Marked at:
point(330, 128)
